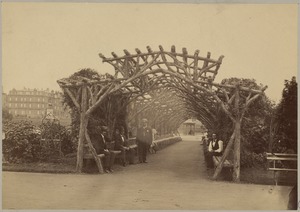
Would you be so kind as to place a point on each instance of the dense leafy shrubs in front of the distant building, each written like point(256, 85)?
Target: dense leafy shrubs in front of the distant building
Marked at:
point(23, 142)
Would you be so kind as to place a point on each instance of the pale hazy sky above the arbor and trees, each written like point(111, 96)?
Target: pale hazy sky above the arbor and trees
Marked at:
point(44, 42)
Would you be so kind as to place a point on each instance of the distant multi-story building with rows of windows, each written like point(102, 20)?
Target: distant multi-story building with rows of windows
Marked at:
point(34, 104)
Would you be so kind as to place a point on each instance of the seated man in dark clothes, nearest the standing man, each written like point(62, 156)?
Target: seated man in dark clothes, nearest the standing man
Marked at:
point(122, 145)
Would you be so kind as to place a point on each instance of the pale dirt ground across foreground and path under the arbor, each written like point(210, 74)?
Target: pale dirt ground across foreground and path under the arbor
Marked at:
point(174, 179)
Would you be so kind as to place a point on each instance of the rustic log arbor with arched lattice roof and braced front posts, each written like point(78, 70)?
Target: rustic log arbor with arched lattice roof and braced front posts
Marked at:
point(143, 76)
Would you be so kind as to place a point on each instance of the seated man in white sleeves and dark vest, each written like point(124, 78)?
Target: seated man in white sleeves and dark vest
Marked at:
point(215, 148)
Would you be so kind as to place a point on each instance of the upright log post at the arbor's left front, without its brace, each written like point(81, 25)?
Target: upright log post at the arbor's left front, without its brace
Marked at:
point(83, 124)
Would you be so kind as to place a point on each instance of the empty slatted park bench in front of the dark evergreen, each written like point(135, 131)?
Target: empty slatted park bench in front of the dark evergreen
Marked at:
point(281, 162)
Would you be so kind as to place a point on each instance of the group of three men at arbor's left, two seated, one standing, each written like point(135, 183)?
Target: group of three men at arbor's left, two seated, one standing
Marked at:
point(119, 142)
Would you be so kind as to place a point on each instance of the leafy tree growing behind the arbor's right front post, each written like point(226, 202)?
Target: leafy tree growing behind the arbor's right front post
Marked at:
point(255, 125)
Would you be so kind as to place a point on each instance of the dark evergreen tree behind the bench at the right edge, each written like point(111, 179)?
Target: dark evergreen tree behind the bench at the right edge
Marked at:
point(286, 118)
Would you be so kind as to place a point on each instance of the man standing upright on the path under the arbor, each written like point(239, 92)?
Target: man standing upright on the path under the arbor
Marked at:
point(144, 140)
